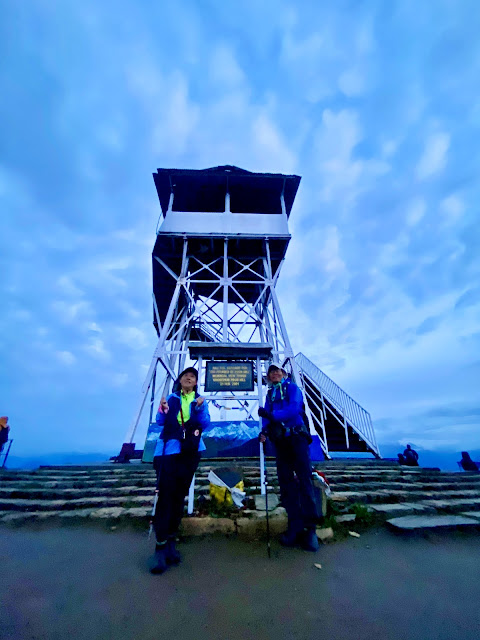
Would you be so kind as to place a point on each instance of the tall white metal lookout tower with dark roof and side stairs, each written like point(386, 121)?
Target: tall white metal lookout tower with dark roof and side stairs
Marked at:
point(220, 246)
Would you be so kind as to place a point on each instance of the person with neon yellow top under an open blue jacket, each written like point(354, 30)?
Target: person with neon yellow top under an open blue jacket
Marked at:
point(183, 416)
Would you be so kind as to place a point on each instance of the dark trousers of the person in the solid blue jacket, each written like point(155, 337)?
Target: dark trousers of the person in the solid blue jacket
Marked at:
point(294, 469)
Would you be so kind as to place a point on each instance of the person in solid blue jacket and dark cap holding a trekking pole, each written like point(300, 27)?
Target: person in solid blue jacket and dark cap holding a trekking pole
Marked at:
point(283, 423)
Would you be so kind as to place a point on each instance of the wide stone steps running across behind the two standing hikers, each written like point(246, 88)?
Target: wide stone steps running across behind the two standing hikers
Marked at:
point(112, 493)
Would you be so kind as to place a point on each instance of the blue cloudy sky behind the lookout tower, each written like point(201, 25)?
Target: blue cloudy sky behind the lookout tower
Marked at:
point(375, 104)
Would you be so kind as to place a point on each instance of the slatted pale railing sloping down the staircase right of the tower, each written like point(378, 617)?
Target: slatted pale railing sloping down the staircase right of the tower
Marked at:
point(358, 418)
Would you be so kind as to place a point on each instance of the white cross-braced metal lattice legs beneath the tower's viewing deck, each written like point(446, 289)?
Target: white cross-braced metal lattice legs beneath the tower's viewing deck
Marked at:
point(227, 317)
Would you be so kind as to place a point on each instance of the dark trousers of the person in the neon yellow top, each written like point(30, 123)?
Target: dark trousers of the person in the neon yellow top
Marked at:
point(174, 476)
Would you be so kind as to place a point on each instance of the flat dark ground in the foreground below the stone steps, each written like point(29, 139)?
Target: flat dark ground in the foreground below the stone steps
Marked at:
point(88, 584)
